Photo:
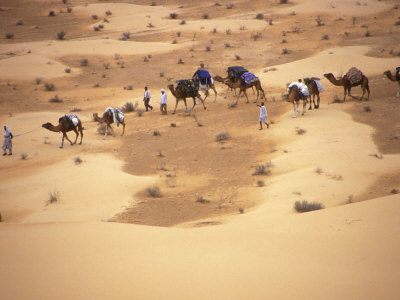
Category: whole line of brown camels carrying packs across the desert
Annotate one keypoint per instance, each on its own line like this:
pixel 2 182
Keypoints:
pixel 238 77
